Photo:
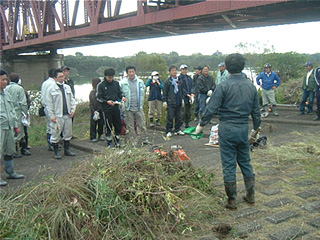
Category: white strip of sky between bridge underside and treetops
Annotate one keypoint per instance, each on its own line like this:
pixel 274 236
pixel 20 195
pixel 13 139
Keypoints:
pixel 298 38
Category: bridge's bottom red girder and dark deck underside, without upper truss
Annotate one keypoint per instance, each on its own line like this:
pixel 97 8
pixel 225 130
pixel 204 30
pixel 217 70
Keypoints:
pixel 118 30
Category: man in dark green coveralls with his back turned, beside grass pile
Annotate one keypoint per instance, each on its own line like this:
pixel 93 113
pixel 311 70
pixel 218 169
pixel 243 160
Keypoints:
pixel 234 99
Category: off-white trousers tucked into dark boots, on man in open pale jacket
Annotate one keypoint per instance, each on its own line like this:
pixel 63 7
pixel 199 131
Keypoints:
pixel 64 126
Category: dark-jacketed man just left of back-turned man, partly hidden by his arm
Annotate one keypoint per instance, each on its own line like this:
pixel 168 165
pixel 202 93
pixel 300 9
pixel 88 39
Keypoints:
pixel 206 86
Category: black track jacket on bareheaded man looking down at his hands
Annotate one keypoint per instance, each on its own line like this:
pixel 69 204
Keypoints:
pixel 109 91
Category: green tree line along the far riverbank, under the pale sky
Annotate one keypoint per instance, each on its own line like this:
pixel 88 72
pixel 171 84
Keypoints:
pixel 288 65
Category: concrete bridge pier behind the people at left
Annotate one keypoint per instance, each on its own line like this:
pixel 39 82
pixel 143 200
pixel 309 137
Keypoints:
pixel 32 69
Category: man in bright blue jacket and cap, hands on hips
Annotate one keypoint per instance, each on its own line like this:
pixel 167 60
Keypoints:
pixel 270 81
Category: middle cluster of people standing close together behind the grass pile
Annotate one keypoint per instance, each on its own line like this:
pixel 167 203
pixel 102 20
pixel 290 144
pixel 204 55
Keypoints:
pixel 177 94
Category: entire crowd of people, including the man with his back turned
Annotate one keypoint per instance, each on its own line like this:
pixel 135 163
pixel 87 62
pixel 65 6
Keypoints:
pixel 115 104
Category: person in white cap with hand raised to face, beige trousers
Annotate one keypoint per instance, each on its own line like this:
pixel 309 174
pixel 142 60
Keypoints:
pixel 155 98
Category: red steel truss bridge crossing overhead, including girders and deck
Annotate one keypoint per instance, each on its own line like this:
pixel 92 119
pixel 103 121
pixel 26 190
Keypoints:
pixel 46 25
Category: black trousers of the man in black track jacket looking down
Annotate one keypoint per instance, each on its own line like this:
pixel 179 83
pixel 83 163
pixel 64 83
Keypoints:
pixel 112 119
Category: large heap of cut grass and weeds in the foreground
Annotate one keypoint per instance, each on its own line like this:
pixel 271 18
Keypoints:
pixel 122 195
